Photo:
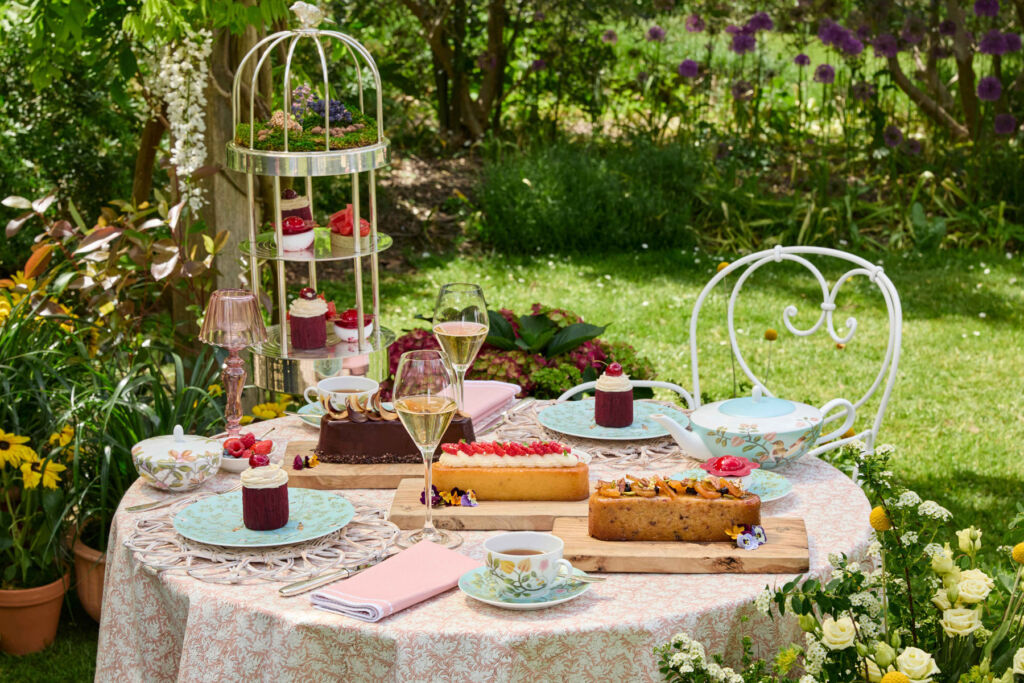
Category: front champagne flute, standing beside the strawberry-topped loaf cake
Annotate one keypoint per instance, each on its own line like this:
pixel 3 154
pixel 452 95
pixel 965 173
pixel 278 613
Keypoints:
pixel 425 404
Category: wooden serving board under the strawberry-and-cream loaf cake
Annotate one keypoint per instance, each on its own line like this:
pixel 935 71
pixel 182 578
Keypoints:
pixel 407 513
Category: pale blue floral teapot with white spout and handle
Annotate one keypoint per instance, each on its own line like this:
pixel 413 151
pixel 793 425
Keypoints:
pixel 764 430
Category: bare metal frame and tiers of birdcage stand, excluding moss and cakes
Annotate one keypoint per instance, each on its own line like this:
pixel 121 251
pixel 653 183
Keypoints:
pixel 279 367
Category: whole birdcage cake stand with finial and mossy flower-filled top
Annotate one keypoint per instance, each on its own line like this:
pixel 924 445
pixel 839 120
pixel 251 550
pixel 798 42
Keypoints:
pixel 344 148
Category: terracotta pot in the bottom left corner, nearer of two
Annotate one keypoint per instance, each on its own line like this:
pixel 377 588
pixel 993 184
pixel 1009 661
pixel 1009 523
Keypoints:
pixel 29 617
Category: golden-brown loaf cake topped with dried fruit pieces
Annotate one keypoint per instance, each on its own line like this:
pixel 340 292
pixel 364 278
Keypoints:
pixel 658 509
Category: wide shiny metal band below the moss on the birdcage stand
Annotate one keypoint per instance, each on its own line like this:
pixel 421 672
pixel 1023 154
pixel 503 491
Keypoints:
pixel 306 164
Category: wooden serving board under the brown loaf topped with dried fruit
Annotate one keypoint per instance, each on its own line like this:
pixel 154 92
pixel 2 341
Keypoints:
pixel 786 552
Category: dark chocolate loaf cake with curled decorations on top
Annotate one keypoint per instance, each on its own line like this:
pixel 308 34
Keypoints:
pixel 364 433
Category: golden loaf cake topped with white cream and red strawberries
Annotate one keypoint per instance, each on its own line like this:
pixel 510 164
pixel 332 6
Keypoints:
pixel 509 472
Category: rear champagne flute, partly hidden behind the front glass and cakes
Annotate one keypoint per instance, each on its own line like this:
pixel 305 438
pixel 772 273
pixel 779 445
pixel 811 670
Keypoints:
pixel 461 326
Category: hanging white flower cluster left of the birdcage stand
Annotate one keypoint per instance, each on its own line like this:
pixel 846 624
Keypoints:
pixel 181 78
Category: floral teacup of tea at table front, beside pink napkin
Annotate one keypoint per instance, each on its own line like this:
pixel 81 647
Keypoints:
pixel 527 564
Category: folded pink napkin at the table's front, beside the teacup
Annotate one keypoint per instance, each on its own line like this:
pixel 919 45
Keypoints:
pixel 402 581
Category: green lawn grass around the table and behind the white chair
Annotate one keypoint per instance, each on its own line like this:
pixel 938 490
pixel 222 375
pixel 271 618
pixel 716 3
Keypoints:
pixel 956 415
